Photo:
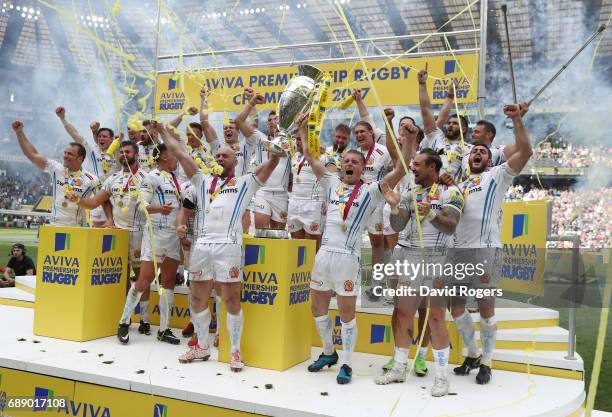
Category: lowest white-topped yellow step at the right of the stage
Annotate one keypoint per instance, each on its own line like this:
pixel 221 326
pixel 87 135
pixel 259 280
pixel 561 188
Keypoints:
pixel 538 362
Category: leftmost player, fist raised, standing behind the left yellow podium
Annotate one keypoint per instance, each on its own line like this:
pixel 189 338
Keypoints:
pixel 68 178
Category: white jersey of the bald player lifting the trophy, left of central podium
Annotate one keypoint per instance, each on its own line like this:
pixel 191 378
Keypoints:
pixel 220 218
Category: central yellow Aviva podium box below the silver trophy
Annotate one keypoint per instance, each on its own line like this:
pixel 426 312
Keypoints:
pixel 276 302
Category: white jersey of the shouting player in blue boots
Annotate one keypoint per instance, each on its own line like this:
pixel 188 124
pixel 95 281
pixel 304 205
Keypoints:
pixel 345 236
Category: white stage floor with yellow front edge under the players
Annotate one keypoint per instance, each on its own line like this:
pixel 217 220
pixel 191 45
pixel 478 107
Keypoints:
pixel 144 378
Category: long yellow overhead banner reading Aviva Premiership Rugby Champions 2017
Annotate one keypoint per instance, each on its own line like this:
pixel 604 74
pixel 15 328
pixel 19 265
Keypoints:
pixel 395 83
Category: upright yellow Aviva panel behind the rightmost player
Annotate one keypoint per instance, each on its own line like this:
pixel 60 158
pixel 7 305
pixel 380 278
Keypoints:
pixel 524 229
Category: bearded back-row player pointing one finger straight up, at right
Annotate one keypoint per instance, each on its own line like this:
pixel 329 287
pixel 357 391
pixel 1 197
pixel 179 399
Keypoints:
pixel 449 146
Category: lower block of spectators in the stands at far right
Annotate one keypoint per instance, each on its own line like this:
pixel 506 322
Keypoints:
pixel 584 212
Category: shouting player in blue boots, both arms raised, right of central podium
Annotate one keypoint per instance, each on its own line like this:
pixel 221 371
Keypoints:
pixel 337 268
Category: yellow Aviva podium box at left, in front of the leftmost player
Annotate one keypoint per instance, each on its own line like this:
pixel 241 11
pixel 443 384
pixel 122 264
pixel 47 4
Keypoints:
pixel 80 282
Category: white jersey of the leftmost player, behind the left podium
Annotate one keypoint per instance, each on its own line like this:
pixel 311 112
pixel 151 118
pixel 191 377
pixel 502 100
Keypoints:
pixel 82 183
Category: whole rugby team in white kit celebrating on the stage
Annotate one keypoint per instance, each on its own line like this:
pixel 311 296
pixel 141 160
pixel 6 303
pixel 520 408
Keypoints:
pixel 187 209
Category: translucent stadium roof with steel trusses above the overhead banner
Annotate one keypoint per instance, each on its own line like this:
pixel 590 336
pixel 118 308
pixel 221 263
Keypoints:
pixel 33 35
